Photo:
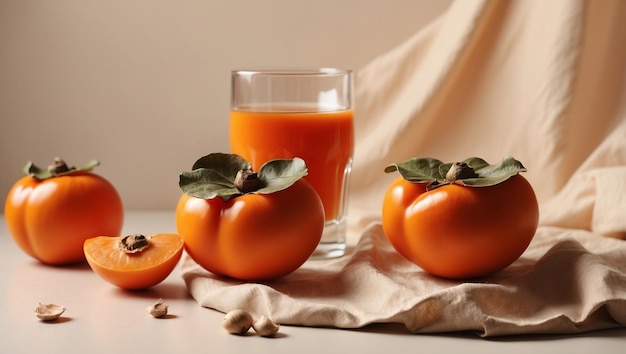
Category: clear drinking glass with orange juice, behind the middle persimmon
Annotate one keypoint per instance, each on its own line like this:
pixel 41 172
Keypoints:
pixel 306 113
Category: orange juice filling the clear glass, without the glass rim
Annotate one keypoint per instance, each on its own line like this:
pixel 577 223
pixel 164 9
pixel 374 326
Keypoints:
pixel 324 140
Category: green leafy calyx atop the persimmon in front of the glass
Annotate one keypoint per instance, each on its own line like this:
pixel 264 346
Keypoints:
pixel 229 176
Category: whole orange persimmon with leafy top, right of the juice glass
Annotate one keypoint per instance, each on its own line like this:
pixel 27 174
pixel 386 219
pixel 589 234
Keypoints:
pixel 460 220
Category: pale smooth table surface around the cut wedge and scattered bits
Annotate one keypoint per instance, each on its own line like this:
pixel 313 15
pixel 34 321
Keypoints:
pixel 101 318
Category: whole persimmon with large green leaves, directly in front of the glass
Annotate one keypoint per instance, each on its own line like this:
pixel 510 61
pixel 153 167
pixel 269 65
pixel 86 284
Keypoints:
pixel 247 225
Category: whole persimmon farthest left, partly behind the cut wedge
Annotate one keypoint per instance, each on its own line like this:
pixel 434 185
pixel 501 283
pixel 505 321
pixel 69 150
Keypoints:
pixel 51 212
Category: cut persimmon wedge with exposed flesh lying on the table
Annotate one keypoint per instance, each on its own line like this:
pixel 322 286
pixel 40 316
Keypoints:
pixel 134 267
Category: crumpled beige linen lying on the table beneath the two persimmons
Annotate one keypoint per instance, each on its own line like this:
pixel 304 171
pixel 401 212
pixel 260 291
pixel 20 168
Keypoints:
pixel 566 282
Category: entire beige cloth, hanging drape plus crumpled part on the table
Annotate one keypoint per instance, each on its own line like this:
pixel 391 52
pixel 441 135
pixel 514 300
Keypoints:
pixel 543 81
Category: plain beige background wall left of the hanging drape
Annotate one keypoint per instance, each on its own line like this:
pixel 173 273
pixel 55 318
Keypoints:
pixel 143 85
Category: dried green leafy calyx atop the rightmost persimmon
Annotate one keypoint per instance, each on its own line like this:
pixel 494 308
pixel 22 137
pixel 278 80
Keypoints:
pixel 473 172
